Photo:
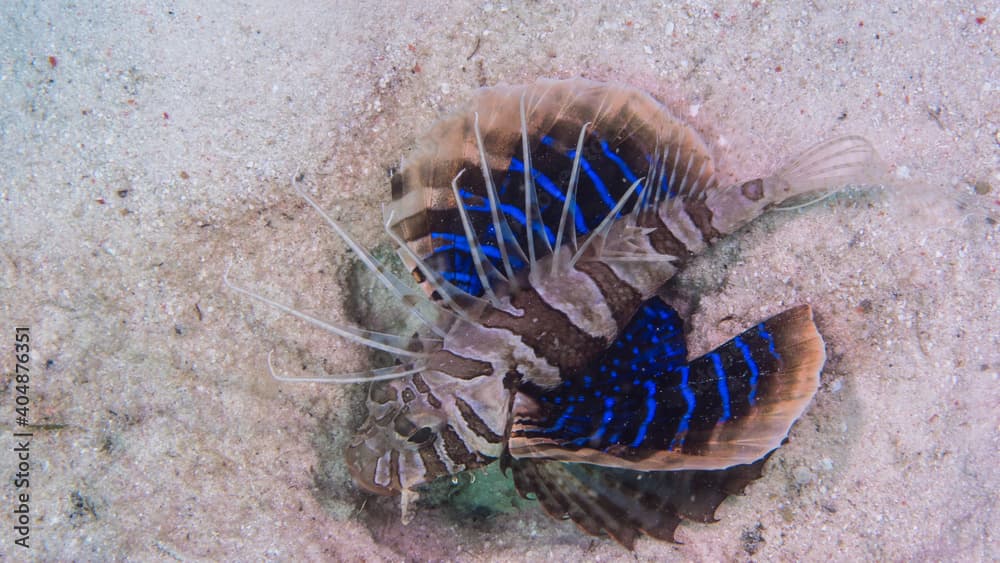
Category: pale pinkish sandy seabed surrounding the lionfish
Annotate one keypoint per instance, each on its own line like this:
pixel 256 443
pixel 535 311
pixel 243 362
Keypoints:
pixel 147 145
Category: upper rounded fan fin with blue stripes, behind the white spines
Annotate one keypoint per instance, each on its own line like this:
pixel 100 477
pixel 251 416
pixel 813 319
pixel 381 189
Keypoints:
pixel 576 150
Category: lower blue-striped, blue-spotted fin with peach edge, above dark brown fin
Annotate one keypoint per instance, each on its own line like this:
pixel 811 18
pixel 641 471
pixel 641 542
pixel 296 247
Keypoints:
pixel 643 411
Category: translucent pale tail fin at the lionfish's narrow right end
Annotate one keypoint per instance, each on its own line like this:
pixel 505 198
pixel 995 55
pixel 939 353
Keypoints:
pixel 824 167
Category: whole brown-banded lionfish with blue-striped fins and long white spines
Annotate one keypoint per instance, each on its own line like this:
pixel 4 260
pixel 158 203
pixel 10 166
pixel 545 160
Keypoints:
pixel 541 224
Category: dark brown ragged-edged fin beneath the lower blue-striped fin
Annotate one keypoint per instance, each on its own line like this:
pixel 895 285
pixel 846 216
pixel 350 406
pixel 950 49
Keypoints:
pixel 624 504
